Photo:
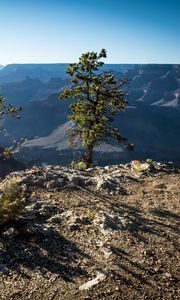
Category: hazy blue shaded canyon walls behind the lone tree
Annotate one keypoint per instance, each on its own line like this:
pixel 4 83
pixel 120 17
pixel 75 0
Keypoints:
pixel 151 121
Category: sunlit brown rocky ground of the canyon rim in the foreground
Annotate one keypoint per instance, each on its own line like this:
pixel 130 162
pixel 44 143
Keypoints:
pixel 103 233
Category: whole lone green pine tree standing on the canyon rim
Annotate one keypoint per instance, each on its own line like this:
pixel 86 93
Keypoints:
pixel 98 98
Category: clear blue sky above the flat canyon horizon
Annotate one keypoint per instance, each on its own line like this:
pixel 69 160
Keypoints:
pixel 132 31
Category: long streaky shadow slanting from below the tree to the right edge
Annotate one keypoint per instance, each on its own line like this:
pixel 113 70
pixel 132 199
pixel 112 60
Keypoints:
pixel 137 222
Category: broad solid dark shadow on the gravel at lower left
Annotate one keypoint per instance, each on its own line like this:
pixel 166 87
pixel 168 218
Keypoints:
pixel 35 244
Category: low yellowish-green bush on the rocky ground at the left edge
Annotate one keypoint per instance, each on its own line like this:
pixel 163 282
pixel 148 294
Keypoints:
pixel 11 201
